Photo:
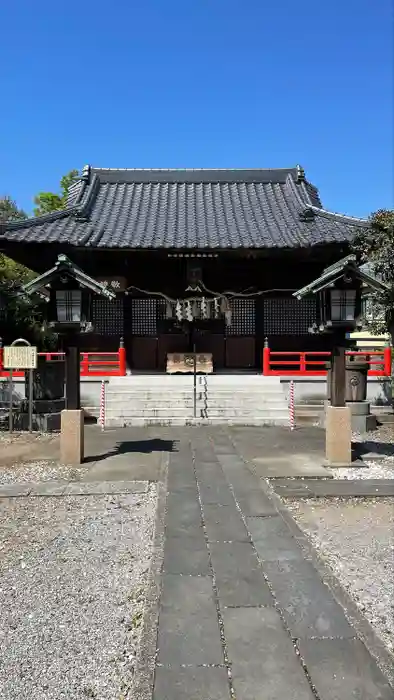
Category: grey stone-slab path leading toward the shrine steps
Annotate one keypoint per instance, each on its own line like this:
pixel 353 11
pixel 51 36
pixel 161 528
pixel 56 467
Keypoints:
pixel 242 613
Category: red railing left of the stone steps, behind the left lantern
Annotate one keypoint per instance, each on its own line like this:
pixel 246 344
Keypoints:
pixel 93 364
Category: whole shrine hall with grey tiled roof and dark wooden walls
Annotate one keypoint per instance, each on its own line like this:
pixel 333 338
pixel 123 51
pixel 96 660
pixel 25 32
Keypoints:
pixel 199 259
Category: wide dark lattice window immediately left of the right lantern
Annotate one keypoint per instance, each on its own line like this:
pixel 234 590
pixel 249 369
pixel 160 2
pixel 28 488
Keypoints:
pixel 285 316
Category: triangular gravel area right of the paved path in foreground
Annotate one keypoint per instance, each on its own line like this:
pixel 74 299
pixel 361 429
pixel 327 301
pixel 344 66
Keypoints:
pixel 356 538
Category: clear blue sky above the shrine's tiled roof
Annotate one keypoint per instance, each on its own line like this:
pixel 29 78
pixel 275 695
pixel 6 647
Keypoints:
pixel 200 83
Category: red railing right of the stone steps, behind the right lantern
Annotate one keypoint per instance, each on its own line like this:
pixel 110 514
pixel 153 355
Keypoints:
pixel 313 364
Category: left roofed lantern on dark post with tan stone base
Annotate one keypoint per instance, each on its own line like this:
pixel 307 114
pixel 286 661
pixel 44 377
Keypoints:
pixel 69 315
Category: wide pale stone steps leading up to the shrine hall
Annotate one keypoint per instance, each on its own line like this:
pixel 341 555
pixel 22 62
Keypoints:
pixel 220 399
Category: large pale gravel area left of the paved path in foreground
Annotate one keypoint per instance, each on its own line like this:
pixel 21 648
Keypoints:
pixel 72 578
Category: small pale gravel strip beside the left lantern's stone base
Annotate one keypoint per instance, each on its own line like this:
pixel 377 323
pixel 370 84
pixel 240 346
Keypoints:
pixel 37 471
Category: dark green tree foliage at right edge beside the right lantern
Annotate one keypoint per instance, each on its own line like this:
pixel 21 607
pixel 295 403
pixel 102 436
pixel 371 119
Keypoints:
pixel 375 245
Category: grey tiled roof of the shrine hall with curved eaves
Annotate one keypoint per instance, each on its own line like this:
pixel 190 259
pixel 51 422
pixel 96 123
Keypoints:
pixel 189 209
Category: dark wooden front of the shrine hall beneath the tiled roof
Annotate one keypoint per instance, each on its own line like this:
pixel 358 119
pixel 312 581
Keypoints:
pixel 268 310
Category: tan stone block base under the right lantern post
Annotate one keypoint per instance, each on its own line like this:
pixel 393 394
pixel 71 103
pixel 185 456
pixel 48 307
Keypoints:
pixel 338 436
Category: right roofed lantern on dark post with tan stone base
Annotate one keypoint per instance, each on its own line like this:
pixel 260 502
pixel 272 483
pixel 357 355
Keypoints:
pixel 339 292
